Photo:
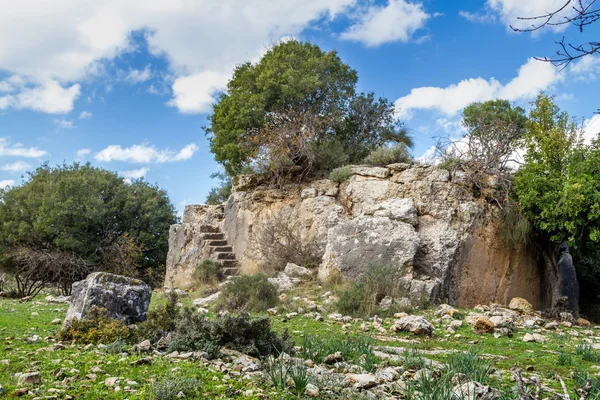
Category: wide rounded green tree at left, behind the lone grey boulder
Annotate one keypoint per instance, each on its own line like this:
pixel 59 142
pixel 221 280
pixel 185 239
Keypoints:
pixel 86 211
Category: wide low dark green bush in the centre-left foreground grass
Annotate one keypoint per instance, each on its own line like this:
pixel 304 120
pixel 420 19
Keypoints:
pixel 252 336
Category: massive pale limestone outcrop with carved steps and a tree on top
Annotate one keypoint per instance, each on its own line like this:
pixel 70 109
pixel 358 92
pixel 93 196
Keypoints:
pixel 422 219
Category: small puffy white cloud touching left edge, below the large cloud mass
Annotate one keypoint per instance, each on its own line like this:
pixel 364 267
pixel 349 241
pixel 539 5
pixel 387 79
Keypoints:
pixel 49 97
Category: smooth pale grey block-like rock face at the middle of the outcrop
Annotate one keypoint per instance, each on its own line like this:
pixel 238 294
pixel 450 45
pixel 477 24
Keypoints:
pixel 354 245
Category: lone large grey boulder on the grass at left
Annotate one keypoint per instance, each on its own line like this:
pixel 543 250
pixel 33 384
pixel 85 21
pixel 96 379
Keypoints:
pixel 124 298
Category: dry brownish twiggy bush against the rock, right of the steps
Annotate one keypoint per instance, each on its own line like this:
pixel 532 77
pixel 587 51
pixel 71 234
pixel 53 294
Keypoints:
pixel 279 242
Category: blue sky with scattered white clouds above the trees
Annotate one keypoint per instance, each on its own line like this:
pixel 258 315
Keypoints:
pixel 127 85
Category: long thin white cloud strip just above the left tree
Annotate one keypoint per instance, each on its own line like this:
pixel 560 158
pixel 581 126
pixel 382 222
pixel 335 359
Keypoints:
pixel 143 154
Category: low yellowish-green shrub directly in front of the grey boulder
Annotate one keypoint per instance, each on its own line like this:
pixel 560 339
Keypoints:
pixel 96 328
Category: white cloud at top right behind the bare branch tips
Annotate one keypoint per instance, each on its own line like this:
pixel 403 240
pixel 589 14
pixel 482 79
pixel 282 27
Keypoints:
pixel 509 12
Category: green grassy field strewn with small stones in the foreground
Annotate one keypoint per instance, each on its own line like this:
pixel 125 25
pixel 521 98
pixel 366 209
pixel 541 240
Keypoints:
pixel 28 343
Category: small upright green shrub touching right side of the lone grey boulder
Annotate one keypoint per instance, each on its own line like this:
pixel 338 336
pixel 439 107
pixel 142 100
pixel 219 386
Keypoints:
pixel 161 320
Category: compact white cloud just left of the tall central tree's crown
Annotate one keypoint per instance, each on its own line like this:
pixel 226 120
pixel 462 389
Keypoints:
pixel 195 93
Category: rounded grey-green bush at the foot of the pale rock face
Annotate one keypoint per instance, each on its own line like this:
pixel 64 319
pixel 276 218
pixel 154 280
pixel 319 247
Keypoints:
pixel 361 298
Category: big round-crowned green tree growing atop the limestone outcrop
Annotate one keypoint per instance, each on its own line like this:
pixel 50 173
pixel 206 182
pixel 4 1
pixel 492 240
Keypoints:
pixel 296 110
